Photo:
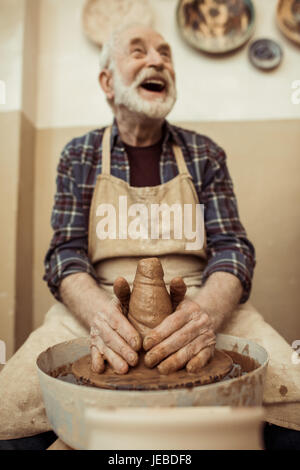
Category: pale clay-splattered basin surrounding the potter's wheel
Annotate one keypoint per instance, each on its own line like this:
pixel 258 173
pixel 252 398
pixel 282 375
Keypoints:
pixel 72 409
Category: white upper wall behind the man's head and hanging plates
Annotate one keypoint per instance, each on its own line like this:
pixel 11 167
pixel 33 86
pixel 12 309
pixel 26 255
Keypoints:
pixel 209 88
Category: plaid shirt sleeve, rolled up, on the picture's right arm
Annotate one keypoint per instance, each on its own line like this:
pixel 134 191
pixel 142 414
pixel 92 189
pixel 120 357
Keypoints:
pixel 228 248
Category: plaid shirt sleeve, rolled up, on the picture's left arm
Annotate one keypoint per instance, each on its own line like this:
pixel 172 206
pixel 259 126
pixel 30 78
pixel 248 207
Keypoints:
pixel 68 251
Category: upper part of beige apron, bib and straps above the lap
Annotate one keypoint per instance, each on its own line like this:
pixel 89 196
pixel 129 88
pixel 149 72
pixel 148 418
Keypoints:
pixel 114 257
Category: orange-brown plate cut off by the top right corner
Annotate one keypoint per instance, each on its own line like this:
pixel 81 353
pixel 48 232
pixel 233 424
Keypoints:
pixel 288 19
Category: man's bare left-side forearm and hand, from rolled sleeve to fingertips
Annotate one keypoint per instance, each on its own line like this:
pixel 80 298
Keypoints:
pixel 112 336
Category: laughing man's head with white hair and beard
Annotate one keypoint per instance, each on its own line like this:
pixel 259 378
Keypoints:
pixel 147 91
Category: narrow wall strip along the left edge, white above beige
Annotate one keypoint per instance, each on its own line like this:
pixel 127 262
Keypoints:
pixel 11 64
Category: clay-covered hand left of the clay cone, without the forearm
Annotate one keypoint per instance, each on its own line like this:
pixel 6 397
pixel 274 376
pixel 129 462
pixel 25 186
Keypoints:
pixel 112 336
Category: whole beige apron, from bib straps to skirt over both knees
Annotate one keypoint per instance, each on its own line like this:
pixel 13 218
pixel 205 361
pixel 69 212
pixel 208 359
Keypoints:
pixel 22 411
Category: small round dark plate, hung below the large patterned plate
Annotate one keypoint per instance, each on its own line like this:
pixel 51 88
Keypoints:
pixel 265 54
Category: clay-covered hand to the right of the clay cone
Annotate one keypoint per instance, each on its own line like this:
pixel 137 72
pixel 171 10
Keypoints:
pixel 184 338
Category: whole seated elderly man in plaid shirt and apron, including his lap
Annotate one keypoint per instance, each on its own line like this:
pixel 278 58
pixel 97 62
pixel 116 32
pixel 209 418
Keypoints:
pixel 147 161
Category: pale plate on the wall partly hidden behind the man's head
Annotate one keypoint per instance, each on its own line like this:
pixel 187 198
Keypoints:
pixel 101 17
